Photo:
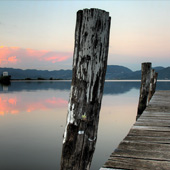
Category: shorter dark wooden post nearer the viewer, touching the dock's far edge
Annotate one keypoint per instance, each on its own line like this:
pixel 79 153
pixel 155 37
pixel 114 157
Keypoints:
pixel 144 89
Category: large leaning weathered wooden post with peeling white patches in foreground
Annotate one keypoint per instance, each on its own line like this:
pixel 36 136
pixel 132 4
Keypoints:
pixel 89 68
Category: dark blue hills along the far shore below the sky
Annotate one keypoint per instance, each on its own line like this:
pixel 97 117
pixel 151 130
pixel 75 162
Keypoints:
pixel 114 72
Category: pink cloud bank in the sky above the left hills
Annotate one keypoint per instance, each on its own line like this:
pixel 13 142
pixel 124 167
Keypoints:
pixel 17 55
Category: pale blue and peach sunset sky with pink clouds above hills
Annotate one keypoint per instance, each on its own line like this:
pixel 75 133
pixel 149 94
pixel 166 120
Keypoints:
pixel 40 34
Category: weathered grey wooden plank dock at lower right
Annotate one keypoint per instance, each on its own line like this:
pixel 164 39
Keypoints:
pixel 147 145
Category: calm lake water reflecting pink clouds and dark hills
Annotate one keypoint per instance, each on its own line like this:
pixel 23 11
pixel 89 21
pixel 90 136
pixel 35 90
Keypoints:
pixel 33 117
